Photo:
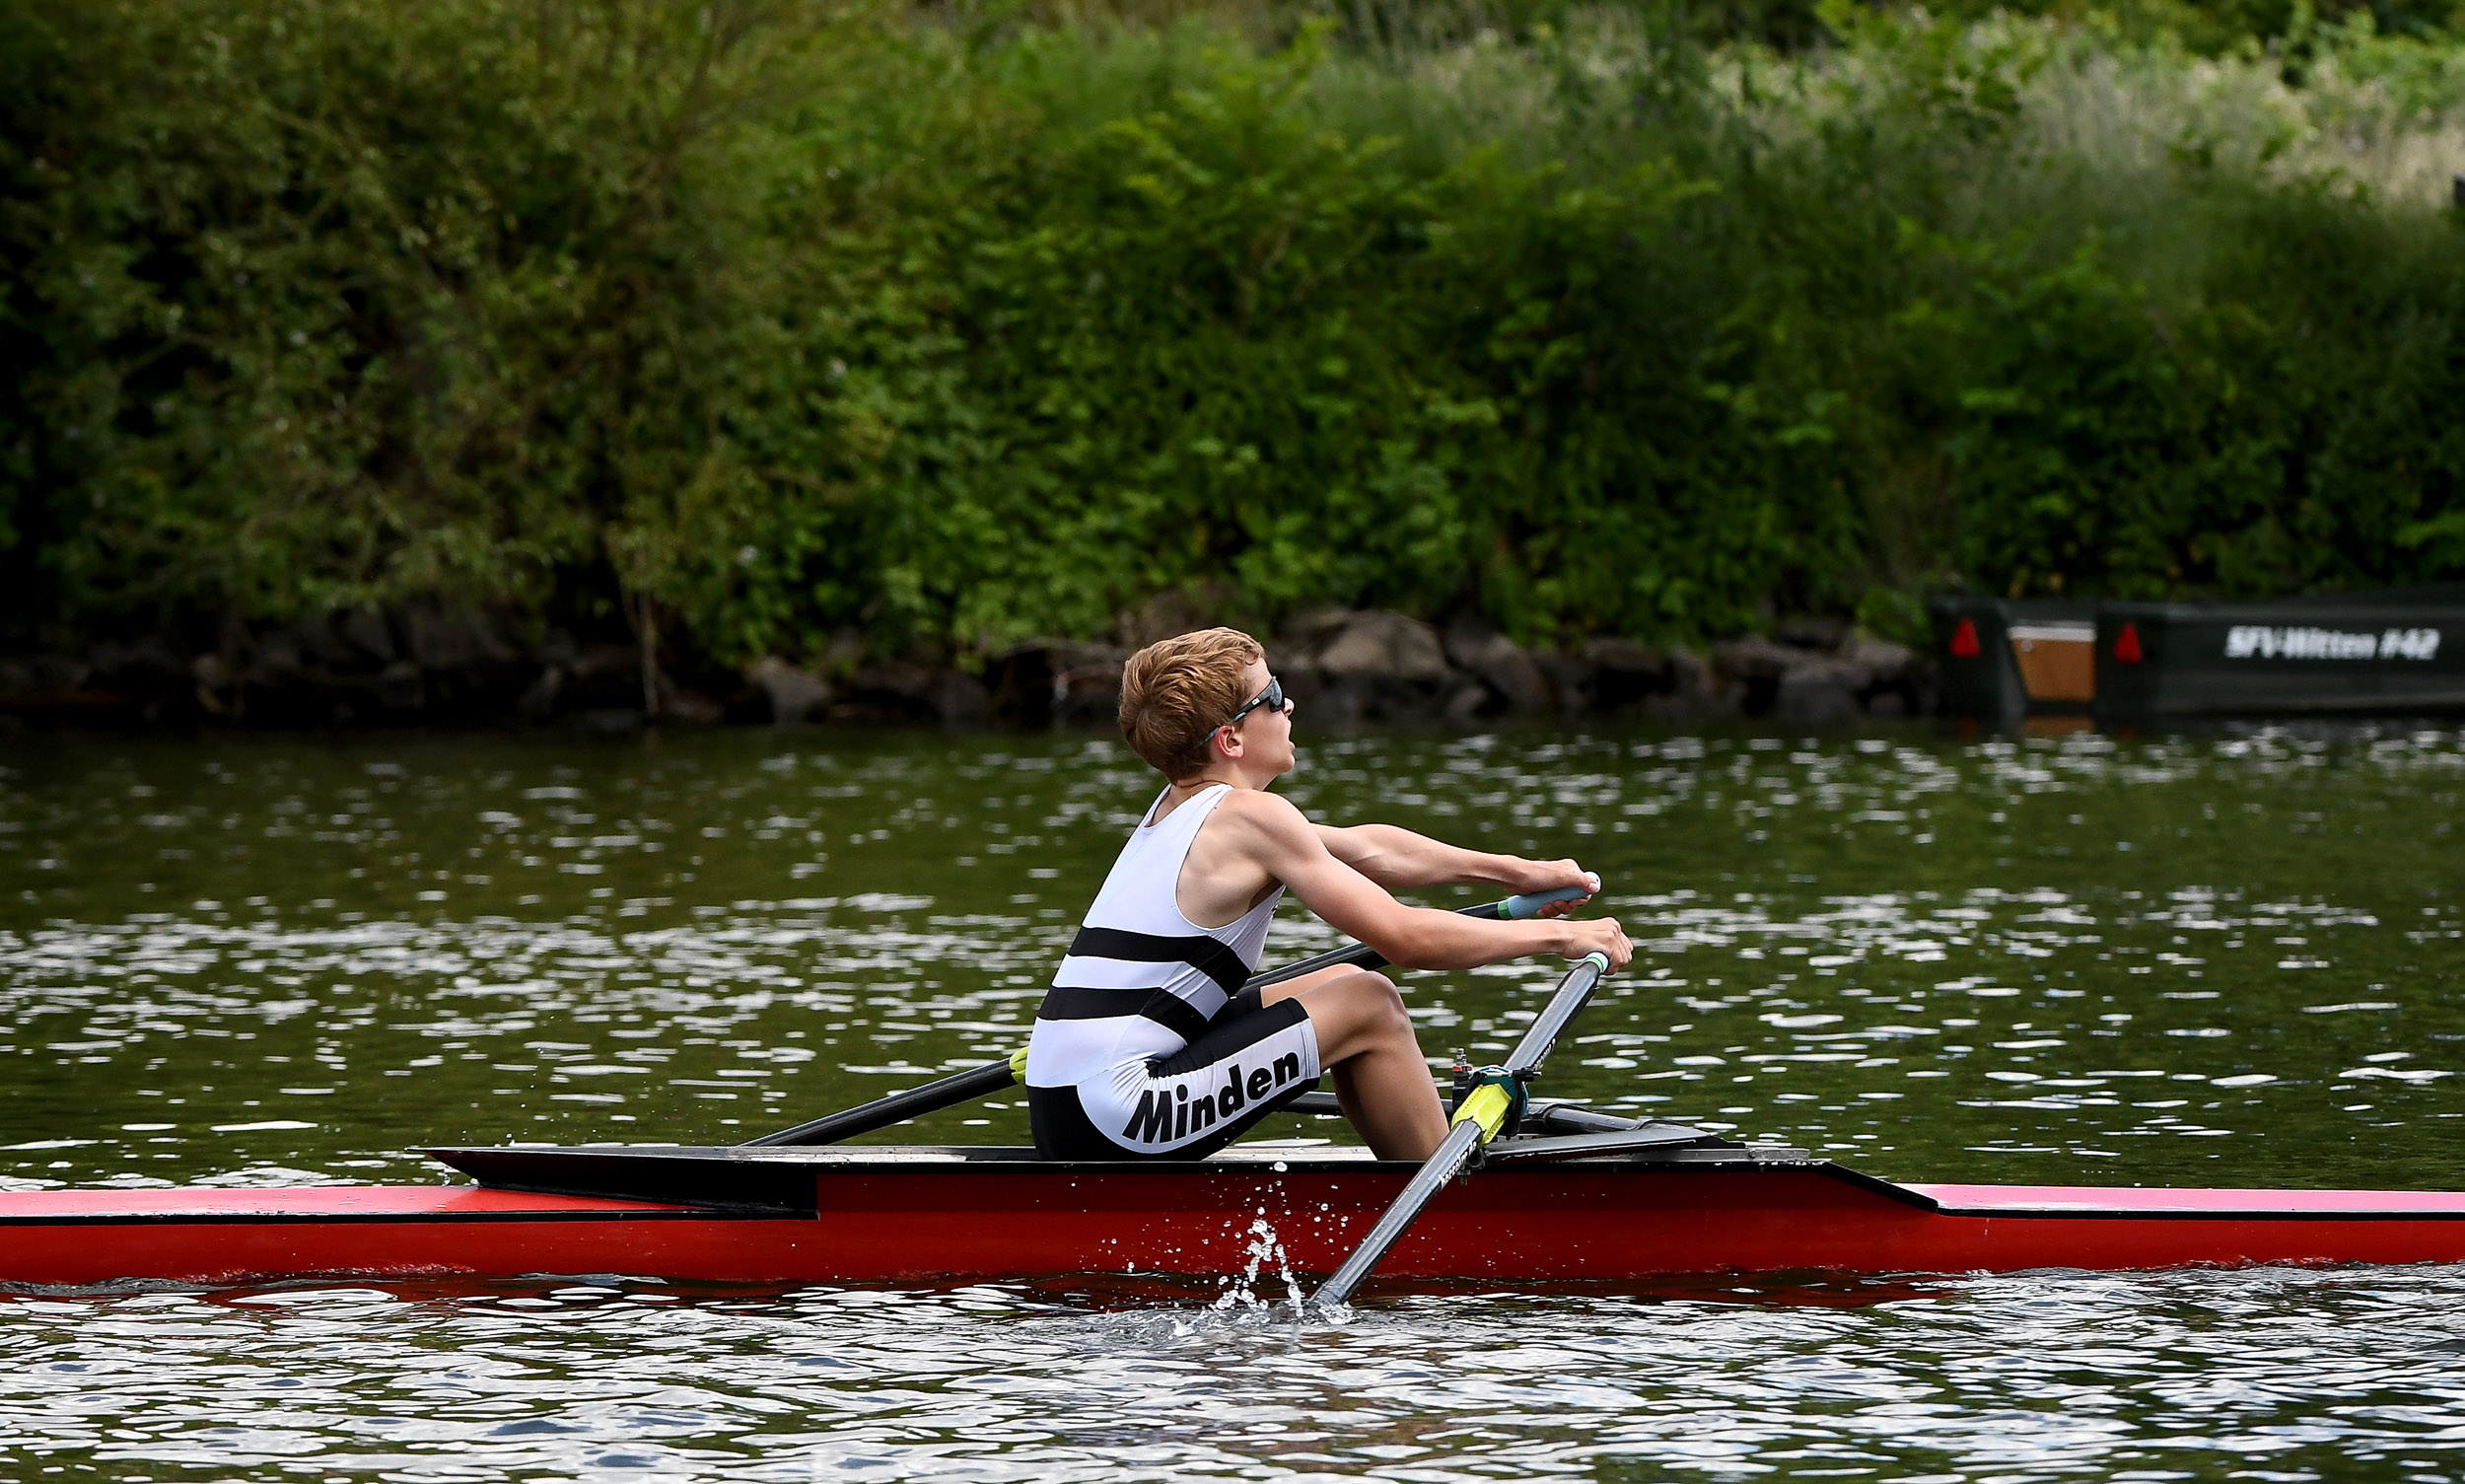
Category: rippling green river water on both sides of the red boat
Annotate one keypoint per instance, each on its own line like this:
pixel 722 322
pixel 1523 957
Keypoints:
pixel 2222 960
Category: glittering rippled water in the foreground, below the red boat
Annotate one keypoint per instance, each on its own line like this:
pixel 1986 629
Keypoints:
pixel 2030 1377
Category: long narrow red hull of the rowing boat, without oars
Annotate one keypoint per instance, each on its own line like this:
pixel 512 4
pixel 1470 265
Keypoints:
pixel 965 1221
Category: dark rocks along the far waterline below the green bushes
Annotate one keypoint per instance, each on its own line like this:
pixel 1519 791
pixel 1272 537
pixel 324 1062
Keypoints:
pixel 425 667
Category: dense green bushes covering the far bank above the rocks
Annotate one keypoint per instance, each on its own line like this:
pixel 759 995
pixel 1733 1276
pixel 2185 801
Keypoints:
pixel 792 319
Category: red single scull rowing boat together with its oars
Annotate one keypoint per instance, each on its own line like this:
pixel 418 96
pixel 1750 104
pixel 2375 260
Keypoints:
pixel 1564 1194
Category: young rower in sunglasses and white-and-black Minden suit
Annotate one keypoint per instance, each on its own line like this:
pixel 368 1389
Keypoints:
pixel 1147 1042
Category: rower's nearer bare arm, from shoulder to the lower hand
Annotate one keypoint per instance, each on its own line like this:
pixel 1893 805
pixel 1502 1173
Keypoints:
pixel 1288 849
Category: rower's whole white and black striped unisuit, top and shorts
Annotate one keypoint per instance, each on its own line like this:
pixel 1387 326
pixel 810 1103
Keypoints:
pixel 1147 1044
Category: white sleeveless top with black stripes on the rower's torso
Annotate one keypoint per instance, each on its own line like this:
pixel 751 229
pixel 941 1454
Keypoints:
pixel 1143 980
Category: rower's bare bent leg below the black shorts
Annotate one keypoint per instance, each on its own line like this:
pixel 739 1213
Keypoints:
pixel 1367 1044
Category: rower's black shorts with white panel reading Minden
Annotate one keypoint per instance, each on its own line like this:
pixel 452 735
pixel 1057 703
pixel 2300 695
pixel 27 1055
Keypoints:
pixel 1251 1061
